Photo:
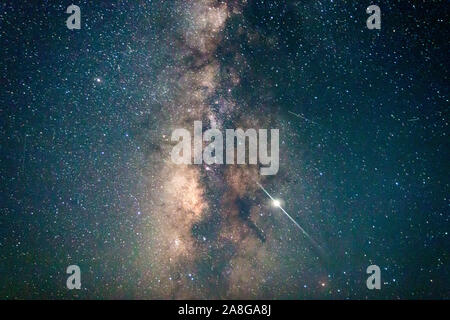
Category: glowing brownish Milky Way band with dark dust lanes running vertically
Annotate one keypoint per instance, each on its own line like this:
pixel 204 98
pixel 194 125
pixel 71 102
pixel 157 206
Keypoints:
pixel 223 200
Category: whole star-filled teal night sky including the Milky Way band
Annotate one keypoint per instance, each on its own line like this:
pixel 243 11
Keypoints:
pixel 87 177
